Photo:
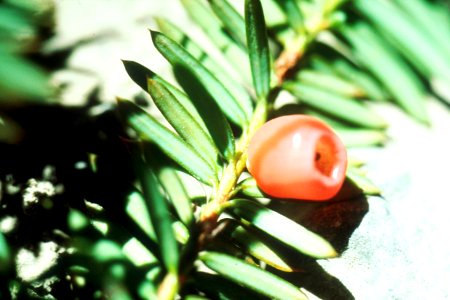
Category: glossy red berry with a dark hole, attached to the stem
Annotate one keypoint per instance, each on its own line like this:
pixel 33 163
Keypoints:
pixel 298 157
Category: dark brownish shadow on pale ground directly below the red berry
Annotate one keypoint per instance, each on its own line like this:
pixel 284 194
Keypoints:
pixel 335 220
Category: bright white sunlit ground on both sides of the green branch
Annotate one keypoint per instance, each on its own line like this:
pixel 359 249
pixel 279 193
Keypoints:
pixel 400 249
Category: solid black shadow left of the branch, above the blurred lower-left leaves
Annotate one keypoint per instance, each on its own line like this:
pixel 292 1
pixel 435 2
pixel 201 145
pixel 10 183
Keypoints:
pixel 62 138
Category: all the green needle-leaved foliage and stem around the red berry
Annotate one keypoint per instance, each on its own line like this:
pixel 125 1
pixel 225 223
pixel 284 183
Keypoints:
pixel 140 232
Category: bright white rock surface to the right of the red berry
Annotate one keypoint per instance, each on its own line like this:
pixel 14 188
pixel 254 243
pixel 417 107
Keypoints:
pixel 400 249
